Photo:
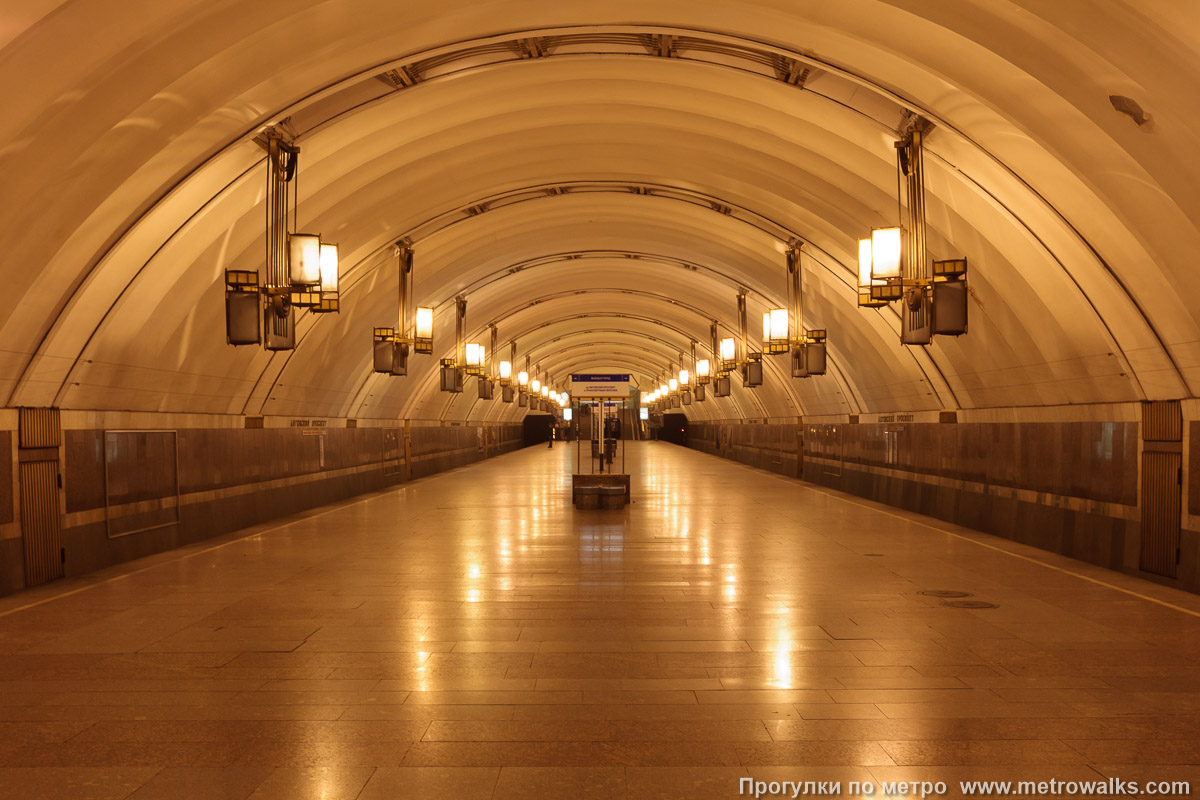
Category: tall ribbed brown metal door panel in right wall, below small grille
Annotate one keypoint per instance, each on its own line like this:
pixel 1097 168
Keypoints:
pixel 1161 506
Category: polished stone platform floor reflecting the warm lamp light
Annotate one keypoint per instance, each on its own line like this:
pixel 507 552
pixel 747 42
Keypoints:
pixel 471 635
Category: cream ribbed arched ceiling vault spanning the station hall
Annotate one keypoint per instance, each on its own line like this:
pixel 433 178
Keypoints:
pixel 701 139
